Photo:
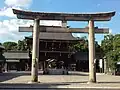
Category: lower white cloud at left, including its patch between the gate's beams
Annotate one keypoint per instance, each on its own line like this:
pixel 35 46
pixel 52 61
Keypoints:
pixel 9 28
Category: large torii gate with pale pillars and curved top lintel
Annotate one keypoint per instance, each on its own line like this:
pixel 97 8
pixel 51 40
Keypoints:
pixel 64 17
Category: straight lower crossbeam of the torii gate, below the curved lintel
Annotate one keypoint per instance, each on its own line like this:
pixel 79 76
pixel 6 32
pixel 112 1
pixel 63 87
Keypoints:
pixel 58 29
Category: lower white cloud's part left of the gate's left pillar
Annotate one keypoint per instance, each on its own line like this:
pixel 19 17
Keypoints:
pixel 9 29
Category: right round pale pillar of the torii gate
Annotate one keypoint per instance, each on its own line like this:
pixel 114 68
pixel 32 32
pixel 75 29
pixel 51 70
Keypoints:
pixel 92 72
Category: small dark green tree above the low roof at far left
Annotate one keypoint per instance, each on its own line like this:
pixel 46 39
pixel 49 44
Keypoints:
pixel 10 45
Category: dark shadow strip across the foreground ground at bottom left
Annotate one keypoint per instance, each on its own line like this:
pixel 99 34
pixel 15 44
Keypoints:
pixel 31 86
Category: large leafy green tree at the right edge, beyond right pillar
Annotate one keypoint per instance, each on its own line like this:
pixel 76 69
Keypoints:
pixel 111 49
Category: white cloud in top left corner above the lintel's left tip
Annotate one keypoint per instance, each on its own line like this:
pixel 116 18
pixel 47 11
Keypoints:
pixel 16 4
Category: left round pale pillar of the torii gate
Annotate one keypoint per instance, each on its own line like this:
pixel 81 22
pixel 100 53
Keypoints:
pixel 34 72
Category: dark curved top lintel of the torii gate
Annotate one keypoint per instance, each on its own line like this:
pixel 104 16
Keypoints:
pixel 101 16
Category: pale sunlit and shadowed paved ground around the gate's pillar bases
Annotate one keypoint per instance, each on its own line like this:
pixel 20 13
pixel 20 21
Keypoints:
pixel 74 80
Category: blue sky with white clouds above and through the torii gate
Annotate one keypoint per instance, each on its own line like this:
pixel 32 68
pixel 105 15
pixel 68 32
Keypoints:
pixel 9 23
